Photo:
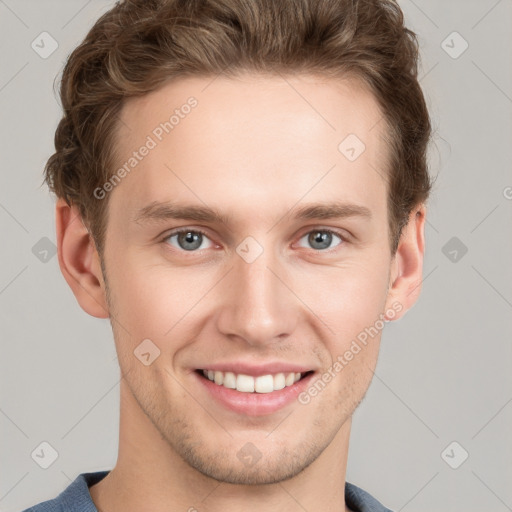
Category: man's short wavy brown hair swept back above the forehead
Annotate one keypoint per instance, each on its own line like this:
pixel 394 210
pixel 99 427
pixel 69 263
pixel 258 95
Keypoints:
pixel 138 45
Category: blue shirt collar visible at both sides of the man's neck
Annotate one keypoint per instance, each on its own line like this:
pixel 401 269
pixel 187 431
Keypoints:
pixel 77 498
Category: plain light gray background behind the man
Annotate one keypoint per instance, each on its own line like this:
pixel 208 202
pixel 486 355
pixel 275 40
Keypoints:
pixel 444 373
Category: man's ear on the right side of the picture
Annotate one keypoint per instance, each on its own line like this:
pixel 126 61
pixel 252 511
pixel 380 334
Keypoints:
pixel 407 266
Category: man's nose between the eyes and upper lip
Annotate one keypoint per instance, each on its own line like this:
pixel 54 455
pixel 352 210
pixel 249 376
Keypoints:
pixel 256 301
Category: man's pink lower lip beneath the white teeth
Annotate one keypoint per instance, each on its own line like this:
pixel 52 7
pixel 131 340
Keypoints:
pixel 255 404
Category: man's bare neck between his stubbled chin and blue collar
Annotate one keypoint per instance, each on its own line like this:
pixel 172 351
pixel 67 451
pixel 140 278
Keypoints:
pixel 150 475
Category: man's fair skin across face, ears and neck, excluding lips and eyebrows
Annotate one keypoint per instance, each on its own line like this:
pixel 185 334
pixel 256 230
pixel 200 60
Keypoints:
pixel 256 148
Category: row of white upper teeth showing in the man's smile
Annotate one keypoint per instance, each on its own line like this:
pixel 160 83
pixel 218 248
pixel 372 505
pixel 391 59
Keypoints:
pixel 249 384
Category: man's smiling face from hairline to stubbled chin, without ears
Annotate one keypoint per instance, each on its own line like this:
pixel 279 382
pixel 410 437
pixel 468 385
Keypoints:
pixel 251 241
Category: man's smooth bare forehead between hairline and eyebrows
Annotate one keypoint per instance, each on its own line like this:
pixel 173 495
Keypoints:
pixel 263 138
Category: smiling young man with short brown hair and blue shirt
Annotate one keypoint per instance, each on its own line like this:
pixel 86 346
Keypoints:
pixel 241 191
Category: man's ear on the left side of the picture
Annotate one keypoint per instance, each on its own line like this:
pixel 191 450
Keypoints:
pixel 79 260
